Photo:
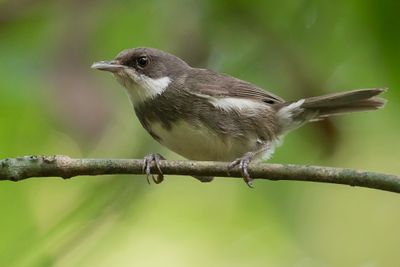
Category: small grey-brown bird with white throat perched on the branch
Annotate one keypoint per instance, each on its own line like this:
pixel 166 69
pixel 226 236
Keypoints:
pixel 201 114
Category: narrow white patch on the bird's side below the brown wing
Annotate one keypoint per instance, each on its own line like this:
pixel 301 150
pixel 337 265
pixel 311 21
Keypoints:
pixel 232 103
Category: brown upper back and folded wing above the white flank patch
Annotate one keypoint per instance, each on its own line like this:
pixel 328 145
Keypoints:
pixel 209 83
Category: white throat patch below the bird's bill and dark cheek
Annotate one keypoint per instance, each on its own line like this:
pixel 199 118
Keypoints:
pixel 142 88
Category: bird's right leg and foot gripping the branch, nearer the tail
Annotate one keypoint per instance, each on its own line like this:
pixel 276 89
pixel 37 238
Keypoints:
pixel 245 160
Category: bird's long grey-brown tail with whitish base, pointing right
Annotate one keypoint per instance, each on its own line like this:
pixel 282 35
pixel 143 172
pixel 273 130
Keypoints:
pixel 320 107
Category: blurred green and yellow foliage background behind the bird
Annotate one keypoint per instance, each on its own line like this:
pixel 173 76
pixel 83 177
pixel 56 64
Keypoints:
pixel 51 102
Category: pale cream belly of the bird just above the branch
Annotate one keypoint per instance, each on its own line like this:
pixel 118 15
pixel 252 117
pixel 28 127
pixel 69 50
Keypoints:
pixel 197 142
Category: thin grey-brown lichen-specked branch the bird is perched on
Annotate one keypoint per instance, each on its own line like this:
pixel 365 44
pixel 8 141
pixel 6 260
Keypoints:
pixel 16 169
